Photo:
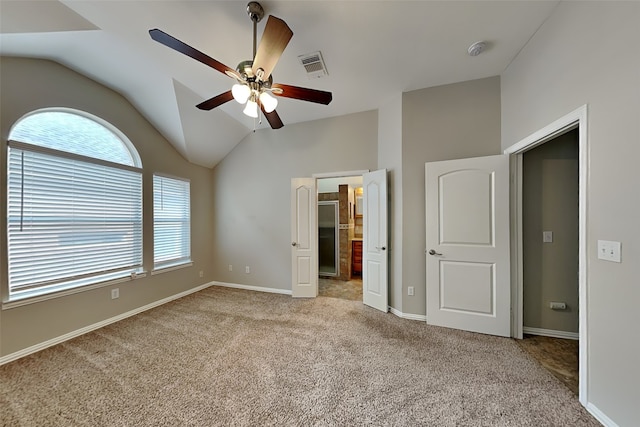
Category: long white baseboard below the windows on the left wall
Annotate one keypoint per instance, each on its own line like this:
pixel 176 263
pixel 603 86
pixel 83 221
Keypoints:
pixel 62 338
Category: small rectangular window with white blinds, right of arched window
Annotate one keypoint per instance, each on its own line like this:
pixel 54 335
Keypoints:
pixel 171 222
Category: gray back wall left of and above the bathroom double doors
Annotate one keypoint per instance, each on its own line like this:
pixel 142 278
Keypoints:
pixel 252 187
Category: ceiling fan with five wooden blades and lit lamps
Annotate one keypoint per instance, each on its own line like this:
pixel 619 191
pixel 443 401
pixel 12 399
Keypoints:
pixel 254 85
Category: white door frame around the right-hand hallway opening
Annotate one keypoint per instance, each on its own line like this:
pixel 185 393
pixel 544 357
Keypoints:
pixel 575 119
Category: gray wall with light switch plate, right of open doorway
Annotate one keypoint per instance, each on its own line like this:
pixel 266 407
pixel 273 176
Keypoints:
pixel 587 53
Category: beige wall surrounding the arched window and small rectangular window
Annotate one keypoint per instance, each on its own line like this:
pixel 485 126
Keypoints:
pixel 29 84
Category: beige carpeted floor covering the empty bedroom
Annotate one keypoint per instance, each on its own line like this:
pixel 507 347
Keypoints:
pixel 230 357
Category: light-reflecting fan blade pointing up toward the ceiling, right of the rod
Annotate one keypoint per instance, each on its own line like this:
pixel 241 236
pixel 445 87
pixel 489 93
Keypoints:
pixel 275 39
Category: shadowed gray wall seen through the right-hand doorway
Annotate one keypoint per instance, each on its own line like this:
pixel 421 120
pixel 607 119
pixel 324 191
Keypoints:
pixel 550 203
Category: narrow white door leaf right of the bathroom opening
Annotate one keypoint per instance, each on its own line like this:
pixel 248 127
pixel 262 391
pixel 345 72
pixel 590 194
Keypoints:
pixel 374 242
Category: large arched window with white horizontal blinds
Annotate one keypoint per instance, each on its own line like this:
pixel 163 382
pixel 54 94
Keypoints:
pixel 74 203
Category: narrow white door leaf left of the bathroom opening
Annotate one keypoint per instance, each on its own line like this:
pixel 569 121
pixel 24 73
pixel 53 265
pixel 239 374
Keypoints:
pixel 304 249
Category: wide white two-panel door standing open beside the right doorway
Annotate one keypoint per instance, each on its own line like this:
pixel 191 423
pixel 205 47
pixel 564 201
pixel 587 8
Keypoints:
pixel 467 214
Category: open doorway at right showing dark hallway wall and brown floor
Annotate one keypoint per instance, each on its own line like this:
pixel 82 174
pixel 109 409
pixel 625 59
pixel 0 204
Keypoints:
pixel 550 256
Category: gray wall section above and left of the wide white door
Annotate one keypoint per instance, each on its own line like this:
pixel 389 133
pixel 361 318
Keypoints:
pixel 454 121
